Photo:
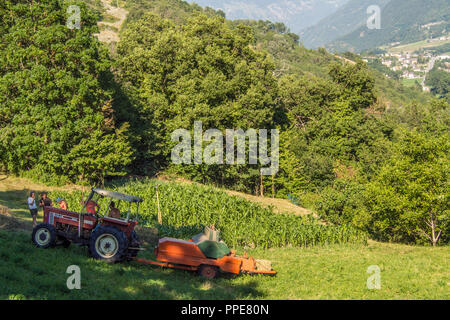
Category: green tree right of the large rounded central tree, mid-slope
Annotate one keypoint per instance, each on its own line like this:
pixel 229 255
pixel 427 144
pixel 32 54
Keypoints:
pixel 331 121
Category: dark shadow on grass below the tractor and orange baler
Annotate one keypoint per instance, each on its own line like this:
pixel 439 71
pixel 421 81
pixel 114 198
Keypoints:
pixel 41 274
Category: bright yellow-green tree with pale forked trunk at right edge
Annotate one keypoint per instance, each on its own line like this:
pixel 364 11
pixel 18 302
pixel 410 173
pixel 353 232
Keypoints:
pixel 409 199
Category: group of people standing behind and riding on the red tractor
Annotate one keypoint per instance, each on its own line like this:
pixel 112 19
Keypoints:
pixel 91 206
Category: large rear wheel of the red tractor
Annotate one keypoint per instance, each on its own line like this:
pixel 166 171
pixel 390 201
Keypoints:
pixel 109 244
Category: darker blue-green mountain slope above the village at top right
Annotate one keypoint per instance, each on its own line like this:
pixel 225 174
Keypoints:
pixel 402 21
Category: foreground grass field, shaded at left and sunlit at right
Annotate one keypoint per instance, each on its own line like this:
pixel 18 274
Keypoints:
pixel 325 272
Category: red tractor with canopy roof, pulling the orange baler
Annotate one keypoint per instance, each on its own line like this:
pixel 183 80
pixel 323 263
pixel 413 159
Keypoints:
pixel 109 239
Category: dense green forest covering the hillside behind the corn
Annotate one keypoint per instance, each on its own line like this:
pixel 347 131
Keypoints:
pixel 357 147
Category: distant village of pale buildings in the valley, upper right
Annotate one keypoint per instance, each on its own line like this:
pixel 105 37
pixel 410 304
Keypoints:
pixel 413 65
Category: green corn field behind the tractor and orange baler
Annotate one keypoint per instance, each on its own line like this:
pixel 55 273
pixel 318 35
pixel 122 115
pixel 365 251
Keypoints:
pixel 186 209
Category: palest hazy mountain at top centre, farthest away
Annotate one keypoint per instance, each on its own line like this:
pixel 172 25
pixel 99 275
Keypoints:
pixel 296 14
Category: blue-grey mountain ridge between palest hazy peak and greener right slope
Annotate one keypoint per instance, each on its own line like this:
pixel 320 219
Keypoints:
pixel 346 19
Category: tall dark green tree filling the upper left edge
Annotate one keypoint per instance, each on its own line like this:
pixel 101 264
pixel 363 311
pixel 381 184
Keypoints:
pixel 55 113
